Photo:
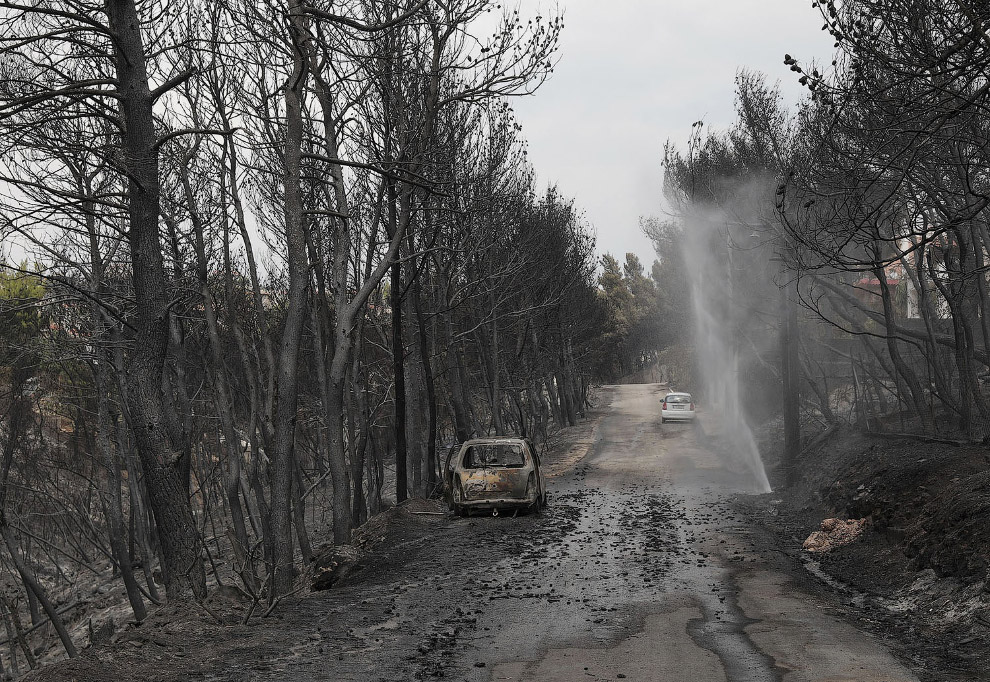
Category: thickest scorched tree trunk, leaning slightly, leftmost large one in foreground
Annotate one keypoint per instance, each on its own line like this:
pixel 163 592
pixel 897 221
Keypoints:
pixel 161 461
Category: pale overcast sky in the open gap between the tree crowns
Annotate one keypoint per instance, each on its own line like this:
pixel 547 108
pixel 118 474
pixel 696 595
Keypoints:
pixel 634 73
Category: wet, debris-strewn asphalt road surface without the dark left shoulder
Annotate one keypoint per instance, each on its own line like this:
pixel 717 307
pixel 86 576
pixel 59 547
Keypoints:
pixel 683 592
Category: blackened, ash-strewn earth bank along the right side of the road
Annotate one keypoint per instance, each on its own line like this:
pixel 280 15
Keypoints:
pixel 919 572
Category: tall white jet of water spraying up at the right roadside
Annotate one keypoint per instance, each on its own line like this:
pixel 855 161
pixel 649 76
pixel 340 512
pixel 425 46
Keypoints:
pixel 727 262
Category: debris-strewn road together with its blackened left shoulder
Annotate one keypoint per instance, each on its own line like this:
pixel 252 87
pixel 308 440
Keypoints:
pixel 638 570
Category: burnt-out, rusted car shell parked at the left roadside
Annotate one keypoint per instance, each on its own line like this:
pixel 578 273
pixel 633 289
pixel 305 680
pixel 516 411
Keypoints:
pixel 493 474
